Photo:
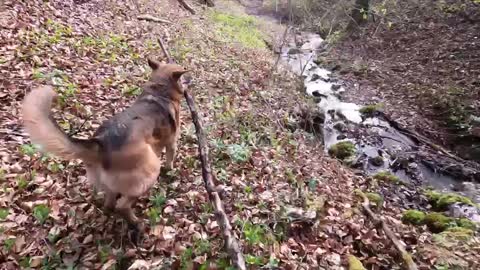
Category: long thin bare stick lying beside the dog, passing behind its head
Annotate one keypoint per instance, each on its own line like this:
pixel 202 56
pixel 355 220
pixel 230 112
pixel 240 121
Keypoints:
pixel 231 244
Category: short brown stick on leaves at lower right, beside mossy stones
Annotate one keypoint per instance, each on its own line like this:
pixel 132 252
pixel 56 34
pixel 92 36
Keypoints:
pixel 407 258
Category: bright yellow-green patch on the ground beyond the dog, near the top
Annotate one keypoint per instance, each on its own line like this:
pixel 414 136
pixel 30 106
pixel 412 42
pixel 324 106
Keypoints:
pixel 241 29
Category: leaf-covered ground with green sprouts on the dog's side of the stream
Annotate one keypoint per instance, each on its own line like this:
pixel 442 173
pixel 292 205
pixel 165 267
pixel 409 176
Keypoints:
pixel 292 207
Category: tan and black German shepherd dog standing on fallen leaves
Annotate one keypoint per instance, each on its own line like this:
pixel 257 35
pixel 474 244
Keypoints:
pixel 122 157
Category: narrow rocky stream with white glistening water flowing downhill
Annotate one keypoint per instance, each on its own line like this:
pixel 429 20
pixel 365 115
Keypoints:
pixel 379 145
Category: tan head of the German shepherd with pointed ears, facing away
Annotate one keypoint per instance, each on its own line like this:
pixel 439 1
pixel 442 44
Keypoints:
pixel 162 73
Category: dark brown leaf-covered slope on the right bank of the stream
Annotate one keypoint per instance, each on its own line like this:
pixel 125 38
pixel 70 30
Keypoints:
pixel 422 63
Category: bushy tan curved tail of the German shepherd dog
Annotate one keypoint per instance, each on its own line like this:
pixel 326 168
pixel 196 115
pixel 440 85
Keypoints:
pixel 45 131
